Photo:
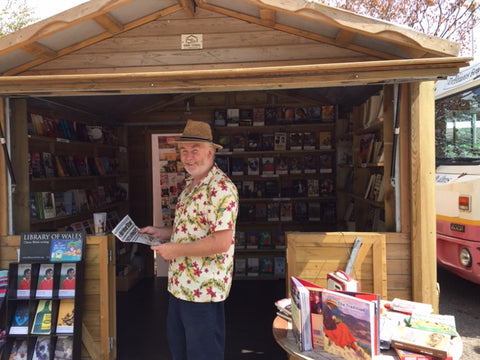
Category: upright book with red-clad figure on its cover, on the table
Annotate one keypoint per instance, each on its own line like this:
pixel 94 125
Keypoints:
pixel 349 325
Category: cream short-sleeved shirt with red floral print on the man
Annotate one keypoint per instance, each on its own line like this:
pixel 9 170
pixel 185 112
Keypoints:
pixel 210 206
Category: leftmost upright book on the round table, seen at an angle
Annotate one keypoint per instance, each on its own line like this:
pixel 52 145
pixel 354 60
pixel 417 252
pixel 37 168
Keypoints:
pixel 300 309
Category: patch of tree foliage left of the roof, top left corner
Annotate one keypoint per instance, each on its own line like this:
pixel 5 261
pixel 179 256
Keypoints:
pixel 14 15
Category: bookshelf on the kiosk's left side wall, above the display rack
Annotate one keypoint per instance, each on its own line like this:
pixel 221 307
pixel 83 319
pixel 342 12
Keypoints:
pixel 76 167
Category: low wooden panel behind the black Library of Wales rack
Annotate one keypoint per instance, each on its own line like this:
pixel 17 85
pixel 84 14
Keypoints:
pixel 99 310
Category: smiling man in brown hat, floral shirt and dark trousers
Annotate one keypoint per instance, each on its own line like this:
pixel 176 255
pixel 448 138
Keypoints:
pixel 200 251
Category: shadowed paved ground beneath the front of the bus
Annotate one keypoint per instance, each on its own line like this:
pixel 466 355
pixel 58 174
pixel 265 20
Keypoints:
pixel 460 298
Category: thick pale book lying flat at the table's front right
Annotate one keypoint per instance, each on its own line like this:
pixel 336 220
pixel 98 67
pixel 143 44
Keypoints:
pixel 422 341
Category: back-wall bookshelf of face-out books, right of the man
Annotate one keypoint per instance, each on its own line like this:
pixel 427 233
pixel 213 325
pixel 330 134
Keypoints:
pixel 282 160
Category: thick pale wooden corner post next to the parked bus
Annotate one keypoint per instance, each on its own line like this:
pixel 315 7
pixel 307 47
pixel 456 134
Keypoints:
pixel 422 140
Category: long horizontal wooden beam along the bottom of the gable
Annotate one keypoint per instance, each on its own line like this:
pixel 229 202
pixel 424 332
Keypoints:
pixel 276 77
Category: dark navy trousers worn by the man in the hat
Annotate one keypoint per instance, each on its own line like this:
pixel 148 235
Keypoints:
pixel 195 331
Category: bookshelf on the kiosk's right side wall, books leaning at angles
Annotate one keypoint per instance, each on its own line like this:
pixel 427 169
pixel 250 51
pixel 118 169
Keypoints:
pixel 361 179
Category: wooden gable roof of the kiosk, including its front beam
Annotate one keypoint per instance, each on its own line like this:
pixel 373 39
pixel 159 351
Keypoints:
pixel 134 46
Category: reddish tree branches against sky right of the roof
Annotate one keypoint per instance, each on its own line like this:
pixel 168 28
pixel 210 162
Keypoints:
pixel 447 19
